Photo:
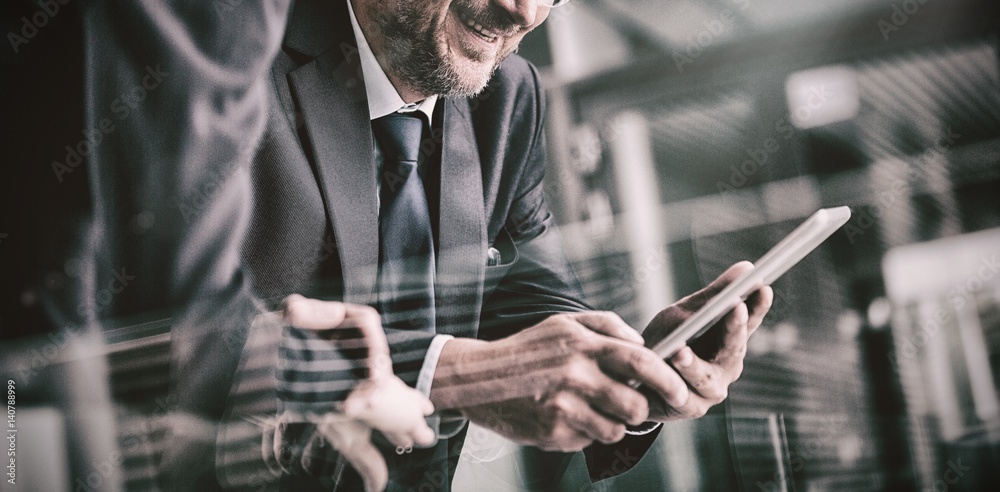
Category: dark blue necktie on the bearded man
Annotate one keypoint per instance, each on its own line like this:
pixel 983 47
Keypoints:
pixel 406 257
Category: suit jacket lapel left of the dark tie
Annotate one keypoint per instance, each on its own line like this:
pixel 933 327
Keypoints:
pixel 331 97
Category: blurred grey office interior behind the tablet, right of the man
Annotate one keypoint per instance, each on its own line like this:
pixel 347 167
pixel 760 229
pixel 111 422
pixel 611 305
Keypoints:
pixel 687 135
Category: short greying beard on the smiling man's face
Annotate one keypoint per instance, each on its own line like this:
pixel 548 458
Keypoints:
pixel 413 52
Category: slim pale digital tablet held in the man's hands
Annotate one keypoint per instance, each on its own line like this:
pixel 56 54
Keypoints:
pixel 769 267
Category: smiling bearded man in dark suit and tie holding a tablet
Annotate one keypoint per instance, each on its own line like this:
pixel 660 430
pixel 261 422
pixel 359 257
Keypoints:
pixel 451 242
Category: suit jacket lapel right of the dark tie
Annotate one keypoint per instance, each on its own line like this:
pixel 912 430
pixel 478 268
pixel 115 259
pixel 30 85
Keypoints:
pixel 461 258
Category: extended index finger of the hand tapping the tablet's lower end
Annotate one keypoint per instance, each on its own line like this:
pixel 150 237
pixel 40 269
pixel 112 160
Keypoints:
pixel 639 364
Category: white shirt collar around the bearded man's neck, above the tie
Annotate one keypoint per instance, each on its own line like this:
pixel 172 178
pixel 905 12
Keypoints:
pixel 383 99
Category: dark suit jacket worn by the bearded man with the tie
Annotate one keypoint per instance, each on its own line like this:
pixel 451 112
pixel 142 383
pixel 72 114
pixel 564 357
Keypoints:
pixel 314 228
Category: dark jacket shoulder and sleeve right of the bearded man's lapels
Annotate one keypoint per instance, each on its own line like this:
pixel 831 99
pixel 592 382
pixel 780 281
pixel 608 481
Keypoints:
pixel 539 280
